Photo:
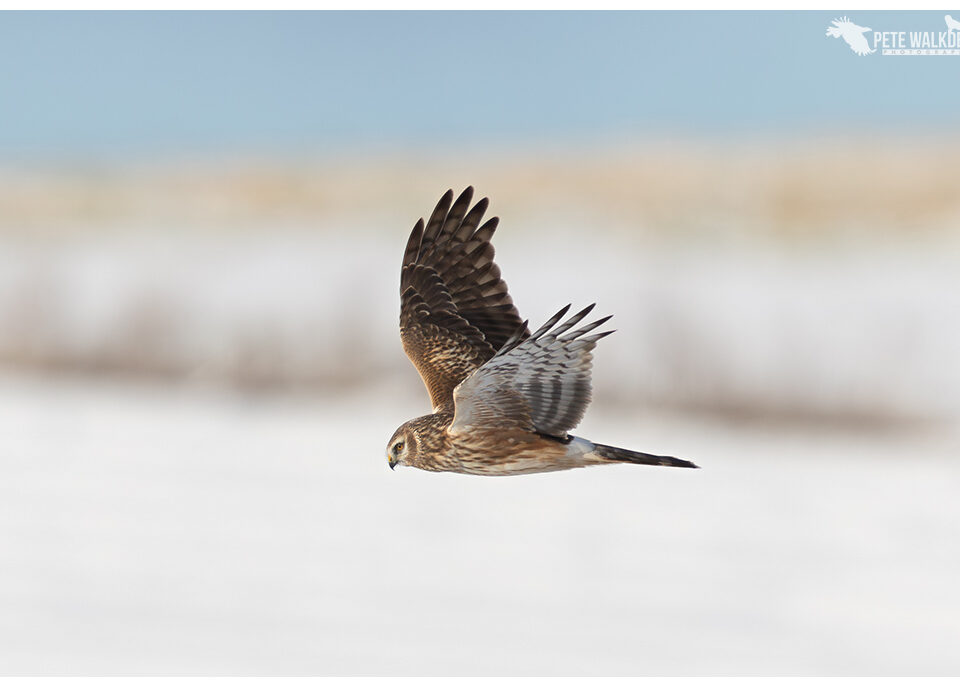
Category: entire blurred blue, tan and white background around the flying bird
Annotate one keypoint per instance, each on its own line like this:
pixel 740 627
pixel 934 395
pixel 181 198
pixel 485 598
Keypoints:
pixel 201 222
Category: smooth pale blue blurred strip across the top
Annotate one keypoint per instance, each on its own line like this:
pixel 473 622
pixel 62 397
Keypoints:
pixel 108 85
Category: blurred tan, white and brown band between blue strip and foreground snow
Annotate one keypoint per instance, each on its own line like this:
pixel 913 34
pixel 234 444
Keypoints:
pixel 801 281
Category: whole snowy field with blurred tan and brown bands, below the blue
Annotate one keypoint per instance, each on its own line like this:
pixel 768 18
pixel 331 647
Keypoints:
pixel 199 372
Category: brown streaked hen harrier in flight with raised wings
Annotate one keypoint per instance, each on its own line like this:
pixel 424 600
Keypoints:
pixel 503 398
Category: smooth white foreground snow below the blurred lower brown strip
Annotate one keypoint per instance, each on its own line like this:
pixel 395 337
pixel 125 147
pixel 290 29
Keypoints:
pixel 163 529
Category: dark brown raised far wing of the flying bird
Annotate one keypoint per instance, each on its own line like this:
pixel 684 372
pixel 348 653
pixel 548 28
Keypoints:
pixel 455 311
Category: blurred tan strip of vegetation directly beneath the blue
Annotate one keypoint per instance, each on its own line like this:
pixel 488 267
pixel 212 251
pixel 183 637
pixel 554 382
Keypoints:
pixel 816 187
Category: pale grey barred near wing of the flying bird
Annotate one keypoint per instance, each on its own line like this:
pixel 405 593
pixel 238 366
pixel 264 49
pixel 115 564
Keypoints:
pixel 539 384
